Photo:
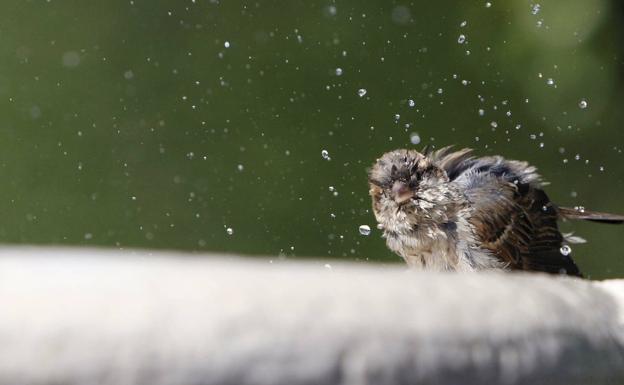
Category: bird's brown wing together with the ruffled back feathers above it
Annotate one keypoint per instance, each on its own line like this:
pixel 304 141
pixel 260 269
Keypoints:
pixel 512 216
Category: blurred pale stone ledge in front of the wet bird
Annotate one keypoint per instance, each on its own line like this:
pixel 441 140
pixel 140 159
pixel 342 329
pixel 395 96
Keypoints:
pixel 80 316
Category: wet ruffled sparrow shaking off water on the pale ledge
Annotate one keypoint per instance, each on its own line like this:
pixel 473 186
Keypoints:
pixel 449 210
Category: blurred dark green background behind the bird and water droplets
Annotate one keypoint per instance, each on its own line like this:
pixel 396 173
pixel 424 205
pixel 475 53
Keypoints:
pixel 160 124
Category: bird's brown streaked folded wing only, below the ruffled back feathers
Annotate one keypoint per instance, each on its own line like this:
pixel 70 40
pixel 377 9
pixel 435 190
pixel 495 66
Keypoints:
pixel 516 222
